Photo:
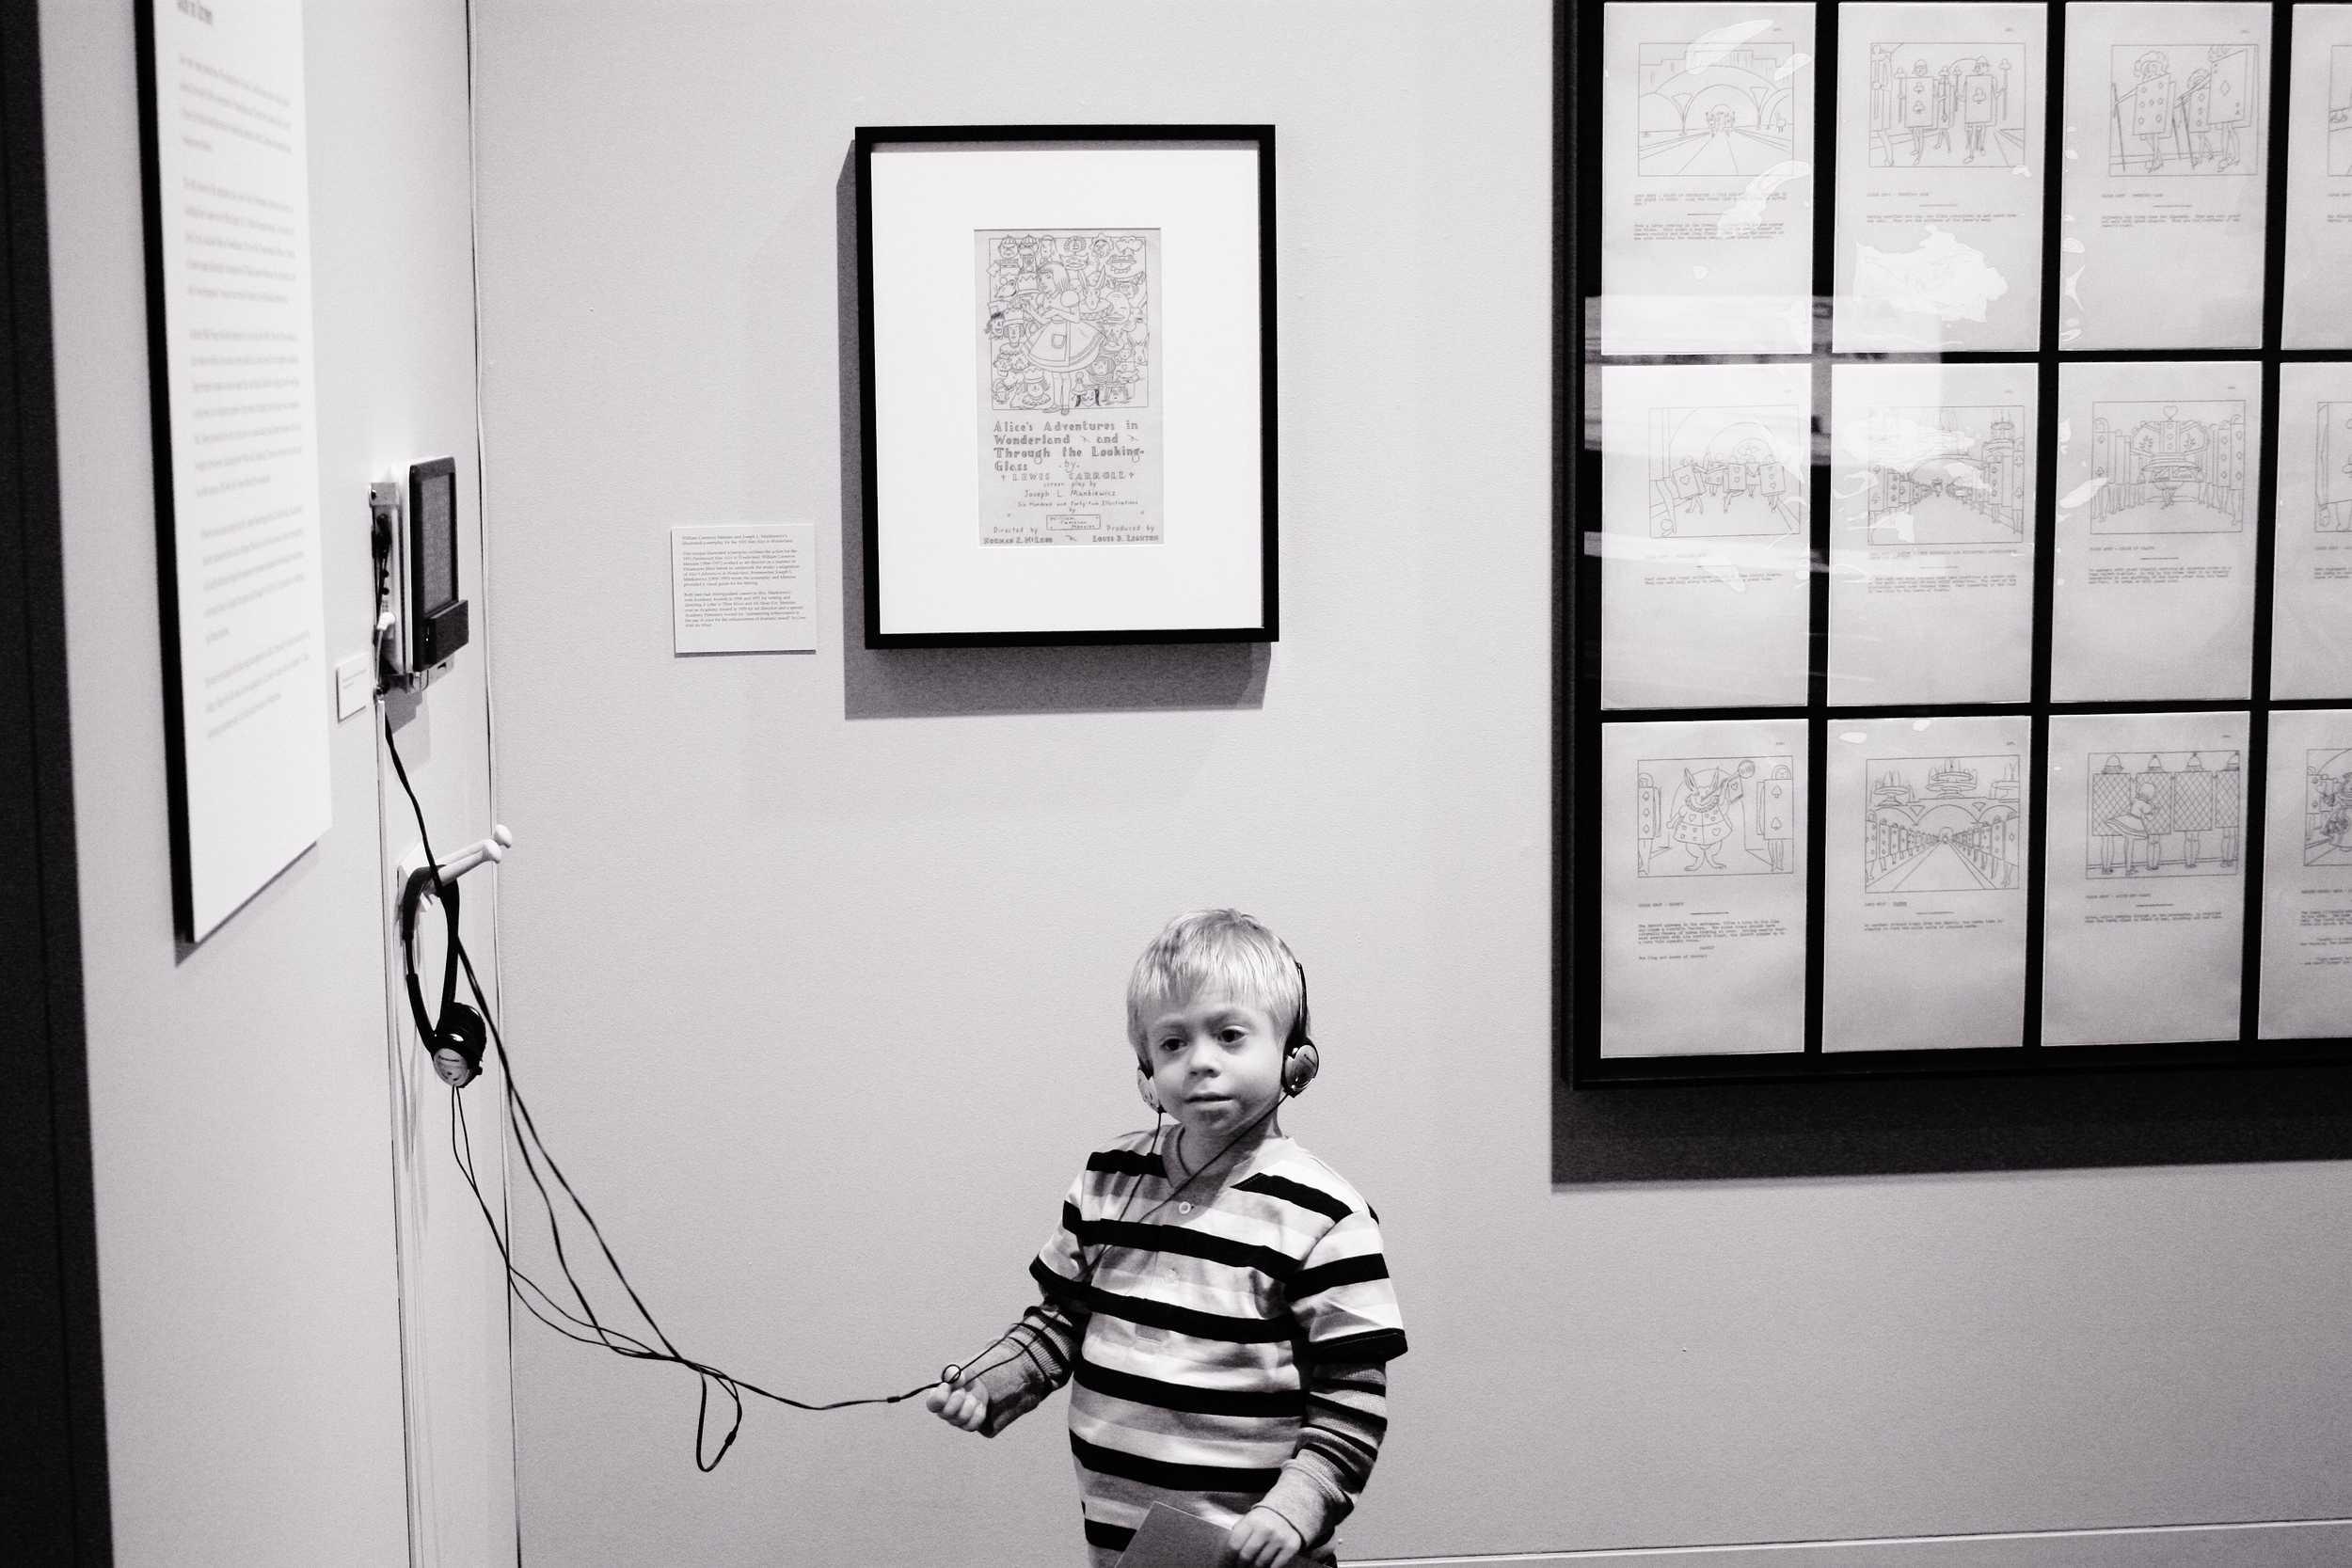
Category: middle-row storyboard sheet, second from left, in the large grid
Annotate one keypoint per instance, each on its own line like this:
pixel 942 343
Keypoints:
pixel 1932 542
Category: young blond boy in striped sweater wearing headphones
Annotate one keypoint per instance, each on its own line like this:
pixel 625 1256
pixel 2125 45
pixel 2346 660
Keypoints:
pixel 1215 1292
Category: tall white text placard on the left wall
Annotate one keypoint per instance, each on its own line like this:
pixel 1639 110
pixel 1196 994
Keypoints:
pixel 248 692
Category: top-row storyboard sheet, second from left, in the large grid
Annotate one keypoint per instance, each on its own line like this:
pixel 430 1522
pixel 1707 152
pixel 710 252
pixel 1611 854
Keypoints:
pixel 1939 177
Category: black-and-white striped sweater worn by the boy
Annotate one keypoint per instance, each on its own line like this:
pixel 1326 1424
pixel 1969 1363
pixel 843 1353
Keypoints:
pixel 1227 1353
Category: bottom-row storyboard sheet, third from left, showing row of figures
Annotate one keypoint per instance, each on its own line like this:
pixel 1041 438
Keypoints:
pixel 2146 878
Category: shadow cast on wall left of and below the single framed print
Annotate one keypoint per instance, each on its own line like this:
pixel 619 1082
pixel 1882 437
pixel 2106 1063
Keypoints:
pixel 930 683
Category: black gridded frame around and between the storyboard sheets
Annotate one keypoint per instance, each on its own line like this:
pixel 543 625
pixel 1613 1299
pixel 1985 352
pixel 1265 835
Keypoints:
pixel 1579 612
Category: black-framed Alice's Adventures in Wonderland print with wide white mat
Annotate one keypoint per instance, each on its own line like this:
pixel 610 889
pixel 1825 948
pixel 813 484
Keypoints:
pixel 1067 359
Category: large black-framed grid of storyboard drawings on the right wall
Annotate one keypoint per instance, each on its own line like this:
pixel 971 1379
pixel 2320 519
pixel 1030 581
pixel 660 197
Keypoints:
pixel 1960 605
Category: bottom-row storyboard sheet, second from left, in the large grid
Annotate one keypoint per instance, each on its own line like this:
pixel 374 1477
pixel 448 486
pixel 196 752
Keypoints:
pixel 1925 885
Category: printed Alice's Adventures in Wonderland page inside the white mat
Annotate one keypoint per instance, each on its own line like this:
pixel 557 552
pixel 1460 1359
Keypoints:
pixel 1069 368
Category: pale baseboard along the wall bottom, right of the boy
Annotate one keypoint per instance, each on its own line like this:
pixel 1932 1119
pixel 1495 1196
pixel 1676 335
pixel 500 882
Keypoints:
pixel 2285 1543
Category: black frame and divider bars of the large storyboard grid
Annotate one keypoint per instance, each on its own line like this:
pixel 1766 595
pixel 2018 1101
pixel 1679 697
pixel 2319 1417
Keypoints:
pixel 1577 615
